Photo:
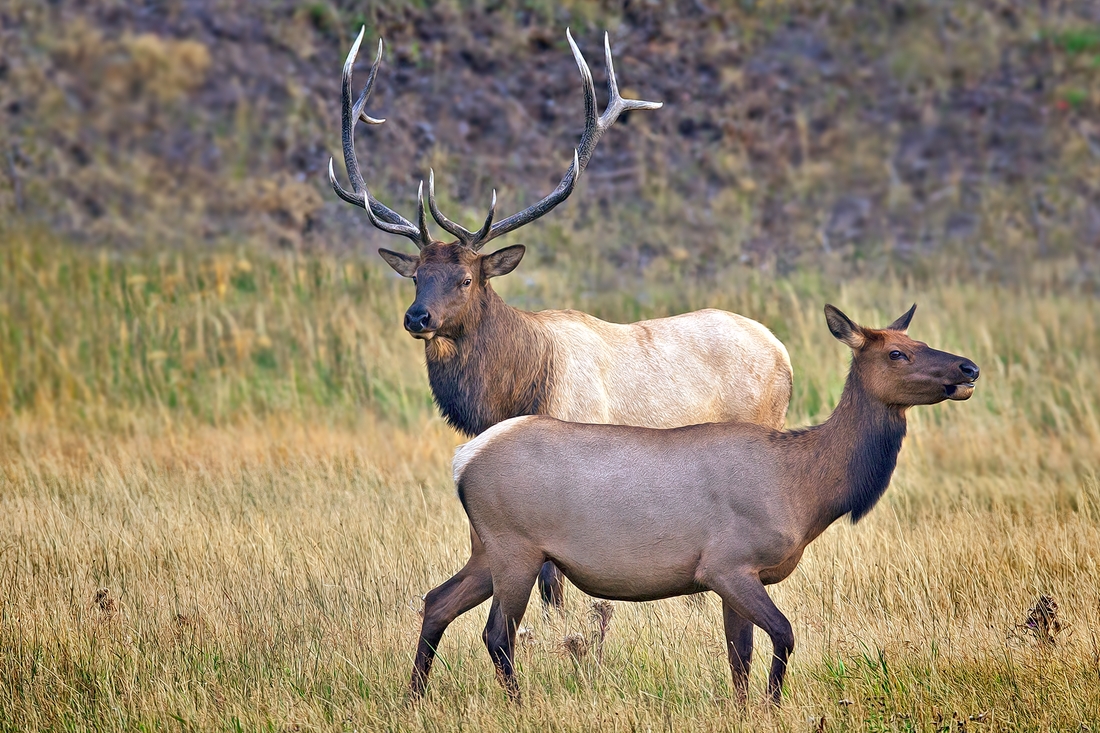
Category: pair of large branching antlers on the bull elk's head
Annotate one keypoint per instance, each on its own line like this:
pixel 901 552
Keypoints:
pixel 391 222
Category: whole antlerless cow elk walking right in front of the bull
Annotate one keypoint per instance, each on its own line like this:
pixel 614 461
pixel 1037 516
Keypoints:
pixel 640 515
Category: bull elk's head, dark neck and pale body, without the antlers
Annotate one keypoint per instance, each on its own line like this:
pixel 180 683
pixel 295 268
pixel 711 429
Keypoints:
pixel 489 362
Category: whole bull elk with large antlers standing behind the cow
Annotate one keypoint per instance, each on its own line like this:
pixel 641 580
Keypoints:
pixel 489 362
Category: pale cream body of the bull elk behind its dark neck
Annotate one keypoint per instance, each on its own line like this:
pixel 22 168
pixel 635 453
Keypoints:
pixel 708 366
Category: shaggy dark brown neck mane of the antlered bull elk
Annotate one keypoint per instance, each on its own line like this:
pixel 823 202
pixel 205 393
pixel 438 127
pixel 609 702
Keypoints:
pixel 496 365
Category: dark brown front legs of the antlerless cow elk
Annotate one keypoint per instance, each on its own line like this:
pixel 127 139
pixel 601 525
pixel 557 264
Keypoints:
pixel 746 597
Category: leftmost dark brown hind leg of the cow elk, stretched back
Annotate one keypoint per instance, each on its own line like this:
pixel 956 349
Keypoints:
pixel 469 587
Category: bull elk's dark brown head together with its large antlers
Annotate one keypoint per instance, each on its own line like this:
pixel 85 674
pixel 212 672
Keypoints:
pixel 452 277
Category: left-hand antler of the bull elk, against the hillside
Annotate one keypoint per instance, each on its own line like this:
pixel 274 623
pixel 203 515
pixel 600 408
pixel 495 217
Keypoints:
pixel 351 113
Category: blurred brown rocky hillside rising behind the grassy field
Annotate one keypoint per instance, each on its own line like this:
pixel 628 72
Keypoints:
pixel 795 135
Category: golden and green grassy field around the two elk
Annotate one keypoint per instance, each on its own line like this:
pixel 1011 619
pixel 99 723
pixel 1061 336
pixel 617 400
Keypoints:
pixel 224 490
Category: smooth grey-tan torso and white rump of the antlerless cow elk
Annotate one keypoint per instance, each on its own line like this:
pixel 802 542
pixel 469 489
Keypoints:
pixel 625 527
